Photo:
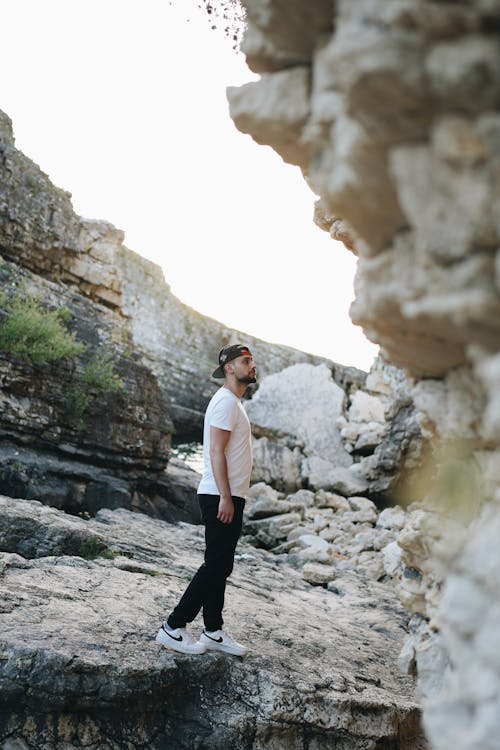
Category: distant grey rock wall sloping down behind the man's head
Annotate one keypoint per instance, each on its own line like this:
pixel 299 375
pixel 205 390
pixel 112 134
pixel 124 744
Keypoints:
pixel 181 345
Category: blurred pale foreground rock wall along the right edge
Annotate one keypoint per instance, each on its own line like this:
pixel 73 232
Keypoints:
pixel 392 111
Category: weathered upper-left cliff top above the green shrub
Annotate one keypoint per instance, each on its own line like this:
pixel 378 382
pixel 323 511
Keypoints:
pixel 40 230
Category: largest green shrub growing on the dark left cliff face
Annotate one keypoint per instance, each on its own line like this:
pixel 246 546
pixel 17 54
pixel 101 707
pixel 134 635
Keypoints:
pixel 33 333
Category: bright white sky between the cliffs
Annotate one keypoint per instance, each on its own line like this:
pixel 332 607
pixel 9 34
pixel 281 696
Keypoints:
pixel 123 104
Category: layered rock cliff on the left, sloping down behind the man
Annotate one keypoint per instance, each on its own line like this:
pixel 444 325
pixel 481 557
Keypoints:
pixel 119 306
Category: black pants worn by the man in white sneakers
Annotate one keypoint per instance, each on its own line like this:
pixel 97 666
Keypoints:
pixel 208 586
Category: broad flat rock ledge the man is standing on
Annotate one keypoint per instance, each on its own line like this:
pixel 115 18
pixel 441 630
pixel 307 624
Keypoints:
pixel 79 667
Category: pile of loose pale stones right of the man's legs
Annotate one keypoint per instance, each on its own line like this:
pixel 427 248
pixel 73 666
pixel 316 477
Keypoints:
pixel 324 533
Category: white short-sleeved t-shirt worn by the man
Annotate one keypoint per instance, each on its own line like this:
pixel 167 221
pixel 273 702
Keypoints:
pixel 226 411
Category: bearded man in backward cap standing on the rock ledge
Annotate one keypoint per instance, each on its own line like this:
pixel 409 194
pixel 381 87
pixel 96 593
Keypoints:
pixel 227 456
